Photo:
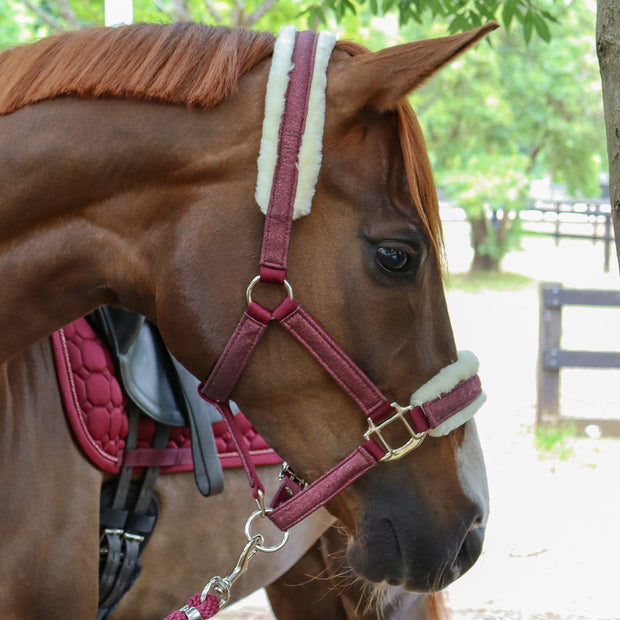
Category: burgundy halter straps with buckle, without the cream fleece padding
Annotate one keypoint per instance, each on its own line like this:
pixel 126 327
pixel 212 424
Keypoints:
pixel 295 501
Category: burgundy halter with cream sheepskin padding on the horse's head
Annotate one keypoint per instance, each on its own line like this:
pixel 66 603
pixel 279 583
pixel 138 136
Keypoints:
pixel 288 167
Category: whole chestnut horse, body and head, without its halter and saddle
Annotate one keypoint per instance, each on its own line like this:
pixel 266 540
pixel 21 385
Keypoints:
pixel 128 163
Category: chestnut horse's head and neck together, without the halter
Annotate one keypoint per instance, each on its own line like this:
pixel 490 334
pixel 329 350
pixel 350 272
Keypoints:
pixel 158 199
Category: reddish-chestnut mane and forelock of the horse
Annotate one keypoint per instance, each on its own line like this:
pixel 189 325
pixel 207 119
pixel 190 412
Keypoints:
pixel 186 64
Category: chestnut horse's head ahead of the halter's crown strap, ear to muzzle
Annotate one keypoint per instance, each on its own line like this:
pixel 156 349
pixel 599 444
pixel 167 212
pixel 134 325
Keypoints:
pixel 367 263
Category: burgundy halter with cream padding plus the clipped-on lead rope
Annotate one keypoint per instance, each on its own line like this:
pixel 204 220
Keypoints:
pixel 444 401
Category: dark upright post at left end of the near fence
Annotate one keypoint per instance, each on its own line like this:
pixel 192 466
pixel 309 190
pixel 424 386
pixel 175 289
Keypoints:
pixel 550 330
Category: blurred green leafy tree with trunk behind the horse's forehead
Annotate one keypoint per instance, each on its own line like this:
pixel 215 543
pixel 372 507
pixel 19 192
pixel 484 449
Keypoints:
pixel 508 113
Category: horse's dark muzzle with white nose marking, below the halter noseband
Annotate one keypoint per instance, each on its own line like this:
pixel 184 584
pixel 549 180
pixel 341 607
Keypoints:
pixel 423 529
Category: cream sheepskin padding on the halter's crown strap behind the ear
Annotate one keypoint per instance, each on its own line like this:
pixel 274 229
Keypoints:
pixel 309 157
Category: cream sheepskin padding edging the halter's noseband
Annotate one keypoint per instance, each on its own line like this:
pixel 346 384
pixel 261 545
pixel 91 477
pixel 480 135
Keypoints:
pixel 443 382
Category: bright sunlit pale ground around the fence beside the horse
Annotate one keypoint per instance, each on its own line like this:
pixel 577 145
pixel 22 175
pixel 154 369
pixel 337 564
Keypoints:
pixel 553 540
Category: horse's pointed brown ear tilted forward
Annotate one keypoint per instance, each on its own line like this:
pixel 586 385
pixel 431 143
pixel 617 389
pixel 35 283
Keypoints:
pixel 382 78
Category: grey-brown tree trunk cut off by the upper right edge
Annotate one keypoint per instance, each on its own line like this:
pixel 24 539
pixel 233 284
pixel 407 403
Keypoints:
pixel 608 49
